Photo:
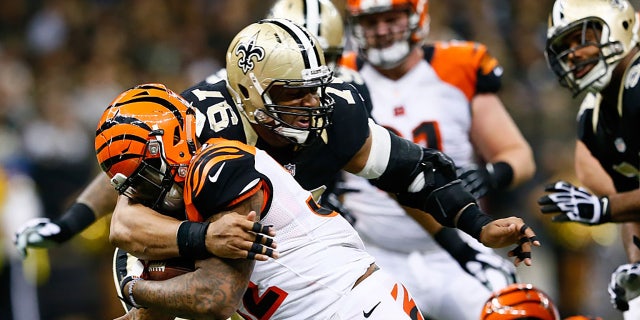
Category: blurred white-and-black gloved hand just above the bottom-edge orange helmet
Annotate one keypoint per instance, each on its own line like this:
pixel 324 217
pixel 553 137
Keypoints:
pixel 493 271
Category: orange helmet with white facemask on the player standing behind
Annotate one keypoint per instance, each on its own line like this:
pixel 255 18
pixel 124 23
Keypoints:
pixel 392 56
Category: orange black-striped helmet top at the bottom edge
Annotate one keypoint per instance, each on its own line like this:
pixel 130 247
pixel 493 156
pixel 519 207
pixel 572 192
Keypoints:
pixel 519 301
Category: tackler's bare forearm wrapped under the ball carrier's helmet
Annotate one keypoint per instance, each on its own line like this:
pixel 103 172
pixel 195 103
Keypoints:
pixel 143 232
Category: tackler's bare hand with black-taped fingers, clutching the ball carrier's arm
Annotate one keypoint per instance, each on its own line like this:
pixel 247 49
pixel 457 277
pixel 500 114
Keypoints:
pixel 237 236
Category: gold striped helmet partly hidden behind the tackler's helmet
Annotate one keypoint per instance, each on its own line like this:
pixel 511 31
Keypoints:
pixel 321 18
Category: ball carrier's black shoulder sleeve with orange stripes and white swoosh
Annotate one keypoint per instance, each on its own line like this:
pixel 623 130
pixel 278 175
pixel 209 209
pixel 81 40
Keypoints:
pixel 220 176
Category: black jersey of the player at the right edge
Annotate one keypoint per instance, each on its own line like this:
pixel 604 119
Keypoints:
pixel 610 130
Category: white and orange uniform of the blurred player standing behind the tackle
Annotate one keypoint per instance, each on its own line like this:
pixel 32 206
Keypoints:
pixel 431 106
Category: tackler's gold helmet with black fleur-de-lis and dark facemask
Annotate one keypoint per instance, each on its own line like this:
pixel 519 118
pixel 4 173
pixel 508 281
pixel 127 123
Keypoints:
pixel 272 54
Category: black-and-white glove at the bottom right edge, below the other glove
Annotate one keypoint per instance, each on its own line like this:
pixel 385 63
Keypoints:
pixel 624 285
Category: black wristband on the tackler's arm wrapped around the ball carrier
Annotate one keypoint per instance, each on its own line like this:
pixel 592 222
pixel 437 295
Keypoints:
pixel 191 240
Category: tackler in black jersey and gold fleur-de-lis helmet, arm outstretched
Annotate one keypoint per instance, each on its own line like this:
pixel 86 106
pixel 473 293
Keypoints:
pixel 313 135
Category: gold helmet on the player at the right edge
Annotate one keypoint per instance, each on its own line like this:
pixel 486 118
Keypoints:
pixel 615 21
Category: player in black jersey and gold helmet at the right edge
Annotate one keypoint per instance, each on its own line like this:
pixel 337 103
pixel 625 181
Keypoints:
pixel 592 46
